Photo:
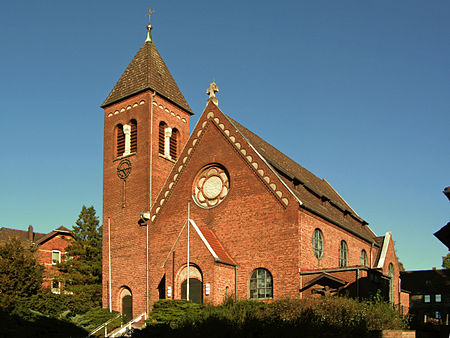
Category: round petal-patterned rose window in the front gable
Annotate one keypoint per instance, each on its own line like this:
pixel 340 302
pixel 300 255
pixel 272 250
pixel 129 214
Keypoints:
pixel 211 186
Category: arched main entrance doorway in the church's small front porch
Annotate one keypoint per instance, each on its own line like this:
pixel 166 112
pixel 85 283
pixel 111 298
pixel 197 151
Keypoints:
pixel 195 283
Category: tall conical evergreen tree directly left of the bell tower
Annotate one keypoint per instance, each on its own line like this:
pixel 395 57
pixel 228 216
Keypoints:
pixel 82 267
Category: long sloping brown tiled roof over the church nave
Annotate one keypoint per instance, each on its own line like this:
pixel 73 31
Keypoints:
pixel 310 190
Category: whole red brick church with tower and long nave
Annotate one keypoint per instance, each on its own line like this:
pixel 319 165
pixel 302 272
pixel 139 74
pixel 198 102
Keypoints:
pixel 251 222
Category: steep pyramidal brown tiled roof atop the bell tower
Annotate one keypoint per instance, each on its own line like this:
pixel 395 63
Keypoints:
pixel 147 71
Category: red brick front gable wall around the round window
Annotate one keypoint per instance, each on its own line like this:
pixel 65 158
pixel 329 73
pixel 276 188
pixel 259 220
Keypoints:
pixel 251 223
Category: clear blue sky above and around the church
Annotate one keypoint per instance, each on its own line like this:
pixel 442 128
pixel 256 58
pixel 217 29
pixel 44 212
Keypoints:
pixel 357 92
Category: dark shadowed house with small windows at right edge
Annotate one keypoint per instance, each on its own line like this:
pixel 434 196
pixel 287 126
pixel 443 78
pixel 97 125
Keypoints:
pixel 429 295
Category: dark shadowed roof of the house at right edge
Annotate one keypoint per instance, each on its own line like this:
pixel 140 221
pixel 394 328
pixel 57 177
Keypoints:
pixel 426 281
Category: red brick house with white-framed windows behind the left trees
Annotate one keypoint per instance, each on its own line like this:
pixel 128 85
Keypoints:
pixel 51 249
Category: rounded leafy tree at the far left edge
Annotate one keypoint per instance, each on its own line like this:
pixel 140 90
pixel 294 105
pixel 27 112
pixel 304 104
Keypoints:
pixel 20 273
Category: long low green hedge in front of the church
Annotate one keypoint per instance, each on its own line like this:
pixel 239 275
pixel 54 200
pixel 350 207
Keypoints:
pixel 324 317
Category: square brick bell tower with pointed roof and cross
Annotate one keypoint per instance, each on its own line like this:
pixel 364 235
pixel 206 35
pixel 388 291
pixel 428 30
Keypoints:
pixel 146 126
